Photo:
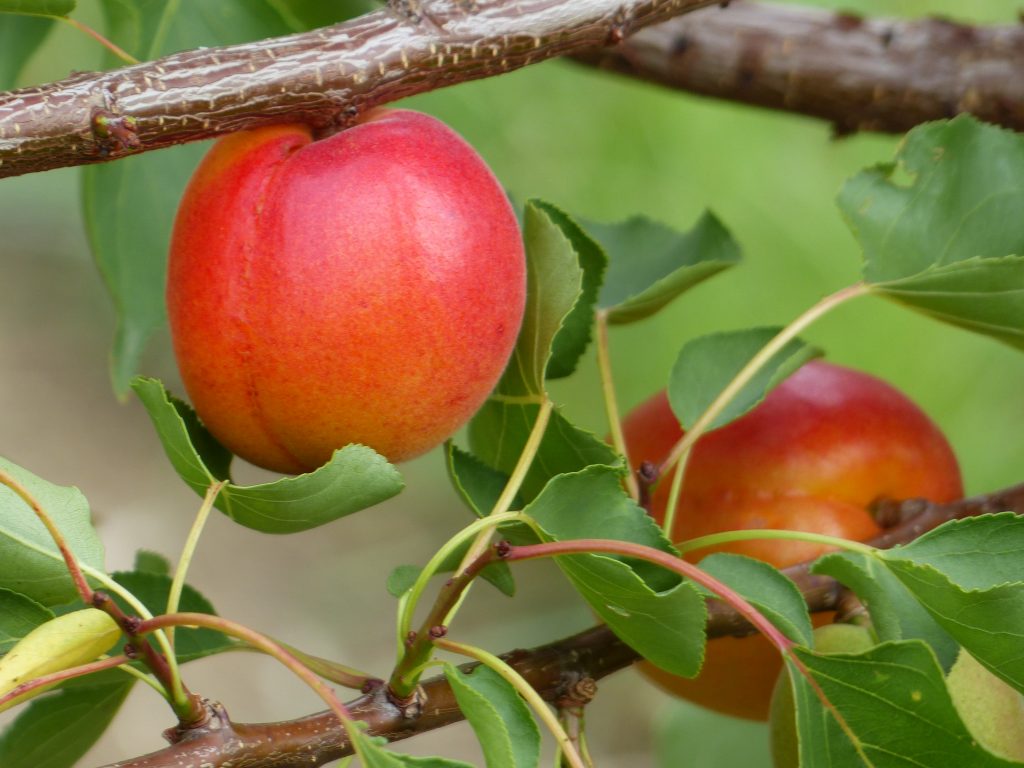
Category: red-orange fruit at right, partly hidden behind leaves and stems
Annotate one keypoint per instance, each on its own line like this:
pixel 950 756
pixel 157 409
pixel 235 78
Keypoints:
pixel 823 447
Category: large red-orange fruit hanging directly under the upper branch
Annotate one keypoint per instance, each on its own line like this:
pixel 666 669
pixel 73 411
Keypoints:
pixel 364 288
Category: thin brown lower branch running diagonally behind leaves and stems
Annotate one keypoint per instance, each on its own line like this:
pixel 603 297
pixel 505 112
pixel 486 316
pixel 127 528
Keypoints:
pixel 559 671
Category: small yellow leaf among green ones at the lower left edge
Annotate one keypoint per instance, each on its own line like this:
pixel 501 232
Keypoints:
pixel 61 644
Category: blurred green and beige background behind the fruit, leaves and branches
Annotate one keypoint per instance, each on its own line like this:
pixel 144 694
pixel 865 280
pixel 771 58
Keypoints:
pixel 599 146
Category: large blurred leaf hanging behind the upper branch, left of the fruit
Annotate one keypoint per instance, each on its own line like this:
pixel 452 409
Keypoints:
pixel 130 206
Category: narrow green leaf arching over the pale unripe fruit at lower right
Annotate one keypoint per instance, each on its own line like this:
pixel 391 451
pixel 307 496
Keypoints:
pixel 897 615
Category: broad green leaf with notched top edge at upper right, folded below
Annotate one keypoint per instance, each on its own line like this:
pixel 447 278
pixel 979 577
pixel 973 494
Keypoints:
pixel 949 241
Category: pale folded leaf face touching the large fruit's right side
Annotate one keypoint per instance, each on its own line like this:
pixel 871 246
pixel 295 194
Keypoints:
pixel 554 284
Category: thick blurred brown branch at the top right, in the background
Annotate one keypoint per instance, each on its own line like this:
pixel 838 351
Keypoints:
pixel 860 74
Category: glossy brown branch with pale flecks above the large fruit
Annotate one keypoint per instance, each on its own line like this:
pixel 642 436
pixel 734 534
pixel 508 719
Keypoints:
pixel 325 78
